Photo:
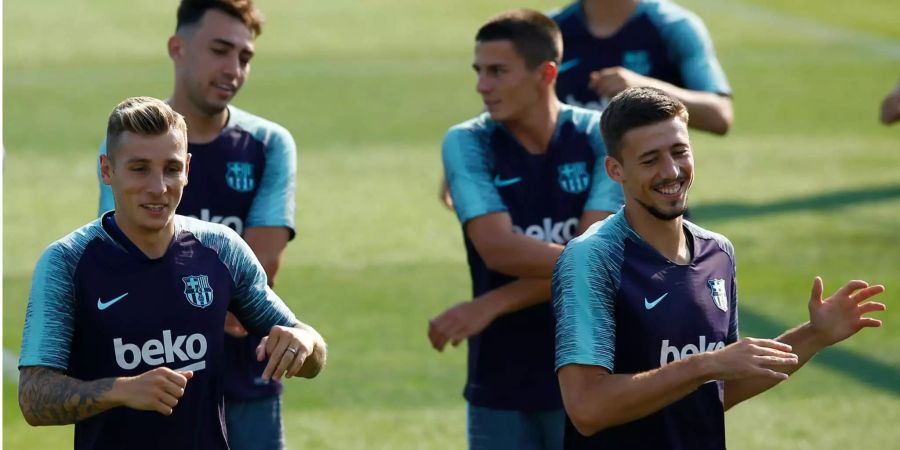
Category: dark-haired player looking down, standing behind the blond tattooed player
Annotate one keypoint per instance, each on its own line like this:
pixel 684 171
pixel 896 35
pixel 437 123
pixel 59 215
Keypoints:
pixel 243 176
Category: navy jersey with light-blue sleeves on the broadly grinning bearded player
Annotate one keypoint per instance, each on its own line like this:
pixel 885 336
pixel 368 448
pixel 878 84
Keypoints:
pixel 621 305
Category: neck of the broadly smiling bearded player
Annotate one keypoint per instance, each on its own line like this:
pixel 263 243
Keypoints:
pixel 666 236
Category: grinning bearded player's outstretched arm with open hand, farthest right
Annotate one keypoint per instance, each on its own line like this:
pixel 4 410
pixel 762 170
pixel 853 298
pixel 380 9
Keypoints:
pixel 830 321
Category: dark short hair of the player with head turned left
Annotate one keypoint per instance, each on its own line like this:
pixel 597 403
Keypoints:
pixel 535 36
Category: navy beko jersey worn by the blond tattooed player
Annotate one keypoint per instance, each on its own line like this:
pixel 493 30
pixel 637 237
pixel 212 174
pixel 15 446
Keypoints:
pixel 100 308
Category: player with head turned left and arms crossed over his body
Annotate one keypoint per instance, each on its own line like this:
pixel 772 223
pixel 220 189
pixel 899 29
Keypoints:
pixel 526 176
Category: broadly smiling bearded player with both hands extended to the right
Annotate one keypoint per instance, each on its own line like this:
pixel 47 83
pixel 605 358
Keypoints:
pixel 647 347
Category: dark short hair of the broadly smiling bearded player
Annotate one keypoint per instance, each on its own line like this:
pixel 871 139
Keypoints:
pixel 636 107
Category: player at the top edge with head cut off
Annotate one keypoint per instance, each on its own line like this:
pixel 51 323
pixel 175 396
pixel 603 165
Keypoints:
pixel 615 44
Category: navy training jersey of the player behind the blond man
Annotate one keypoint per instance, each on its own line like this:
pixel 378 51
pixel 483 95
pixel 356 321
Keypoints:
pixel 244 178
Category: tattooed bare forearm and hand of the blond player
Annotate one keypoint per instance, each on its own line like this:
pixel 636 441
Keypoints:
pixel 49 397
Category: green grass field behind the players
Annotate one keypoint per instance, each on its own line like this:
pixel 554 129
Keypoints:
pixel 805 184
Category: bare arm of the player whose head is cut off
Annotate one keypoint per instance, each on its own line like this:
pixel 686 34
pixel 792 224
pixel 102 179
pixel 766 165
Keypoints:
pixel 708 111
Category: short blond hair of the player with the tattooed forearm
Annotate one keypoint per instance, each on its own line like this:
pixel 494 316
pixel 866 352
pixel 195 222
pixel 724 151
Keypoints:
pixel 145 116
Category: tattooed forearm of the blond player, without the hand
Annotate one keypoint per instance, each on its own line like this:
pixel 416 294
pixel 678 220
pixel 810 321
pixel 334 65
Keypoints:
pixel 48 397
